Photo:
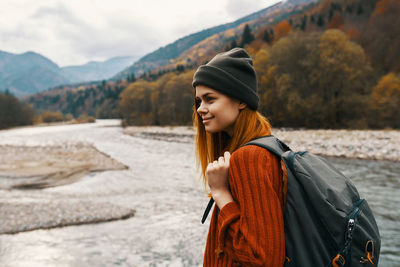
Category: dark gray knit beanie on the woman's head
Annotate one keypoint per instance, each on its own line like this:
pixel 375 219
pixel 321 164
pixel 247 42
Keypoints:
pixel 231 73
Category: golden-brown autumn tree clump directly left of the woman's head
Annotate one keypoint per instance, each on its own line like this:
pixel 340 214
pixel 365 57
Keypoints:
pixel 167 100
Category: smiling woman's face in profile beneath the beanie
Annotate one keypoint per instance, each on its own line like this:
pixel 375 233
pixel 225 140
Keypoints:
pixel 218 111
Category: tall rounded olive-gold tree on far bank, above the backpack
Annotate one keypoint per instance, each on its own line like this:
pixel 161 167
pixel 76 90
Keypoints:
pixel 343 72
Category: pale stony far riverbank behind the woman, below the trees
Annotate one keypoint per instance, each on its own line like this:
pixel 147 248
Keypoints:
pixel 362 144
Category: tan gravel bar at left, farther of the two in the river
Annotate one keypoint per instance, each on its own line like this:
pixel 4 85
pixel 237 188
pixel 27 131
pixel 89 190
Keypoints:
pixel 35 167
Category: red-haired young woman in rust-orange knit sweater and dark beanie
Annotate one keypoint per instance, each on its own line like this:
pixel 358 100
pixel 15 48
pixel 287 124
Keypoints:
pixel 246 183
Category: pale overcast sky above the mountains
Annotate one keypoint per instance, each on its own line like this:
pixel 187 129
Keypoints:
pixel 73 32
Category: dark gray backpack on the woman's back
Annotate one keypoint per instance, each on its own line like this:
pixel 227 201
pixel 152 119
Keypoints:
pixel 326 222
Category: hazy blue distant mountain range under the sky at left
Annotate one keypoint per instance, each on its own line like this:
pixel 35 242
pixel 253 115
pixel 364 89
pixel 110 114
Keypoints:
pixel 30 72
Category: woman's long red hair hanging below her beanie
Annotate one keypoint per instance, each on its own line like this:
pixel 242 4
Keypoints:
pixel 250 124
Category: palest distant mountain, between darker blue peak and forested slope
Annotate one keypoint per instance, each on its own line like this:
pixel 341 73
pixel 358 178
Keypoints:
pixel 94 70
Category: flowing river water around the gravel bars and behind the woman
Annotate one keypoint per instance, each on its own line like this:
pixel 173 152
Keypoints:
pixel 161 184
